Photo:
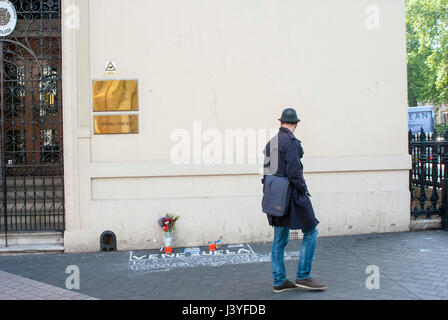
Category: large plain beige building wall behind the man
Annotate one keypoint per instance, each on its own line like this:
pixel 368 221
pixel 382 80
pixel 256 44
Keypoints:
pixel 235 65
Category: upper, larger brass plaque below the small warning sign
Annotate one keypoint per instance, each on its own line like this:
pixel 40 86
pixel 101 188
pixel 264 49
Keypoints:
pixel 115 95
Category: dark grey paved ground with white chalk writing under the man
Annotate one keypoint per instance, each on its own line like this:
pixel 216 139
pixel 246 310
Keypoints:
pixel 411 266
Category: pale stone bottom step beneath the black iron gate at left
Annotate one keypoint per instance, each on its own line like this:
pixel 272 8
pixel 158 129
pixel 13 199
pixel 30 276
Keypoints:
pixel 33 238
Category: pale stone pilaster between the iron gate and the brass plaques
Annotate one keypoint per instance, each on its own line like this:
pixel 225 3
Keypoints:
pixel 77 118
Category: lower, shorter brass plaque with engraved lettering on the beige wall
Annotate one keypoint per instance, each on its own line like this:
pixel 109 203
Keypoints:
pixel 123 124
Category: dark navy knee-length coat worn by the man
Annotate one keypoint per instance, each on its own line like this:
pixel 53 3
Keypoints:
pixel 285 161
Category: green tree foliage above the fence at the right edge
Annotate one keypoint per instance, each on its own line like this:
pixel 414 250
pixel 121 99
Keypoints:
pixel 427 42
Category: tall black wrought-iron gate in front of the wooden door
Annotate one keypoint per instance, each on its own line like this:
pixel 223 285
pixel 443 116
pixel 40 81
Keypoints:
pixel 31 123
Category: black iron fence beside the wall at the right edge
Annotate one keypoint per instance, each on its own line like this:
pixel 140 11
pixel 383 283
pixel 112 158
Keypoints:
pixel 428 179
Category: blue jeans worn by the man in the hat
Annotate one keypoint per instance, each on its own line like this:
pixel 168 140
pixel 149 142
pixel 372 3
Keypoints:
pixel 281 239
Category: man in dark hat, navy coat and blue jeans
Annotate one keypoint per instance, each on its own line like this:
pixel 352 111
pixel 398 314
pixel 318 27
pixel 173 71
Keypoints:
pixel 283 154
